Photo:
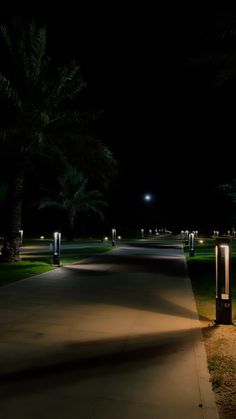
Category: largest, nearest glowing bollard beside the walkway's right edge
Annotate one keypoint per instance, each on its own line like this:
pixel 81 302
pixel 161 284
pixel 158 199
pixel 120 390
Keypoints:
pixel 223 281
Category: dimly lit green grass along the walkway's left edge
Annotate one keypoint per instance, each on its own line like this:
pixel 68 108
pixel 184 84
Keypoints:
pixel 34 263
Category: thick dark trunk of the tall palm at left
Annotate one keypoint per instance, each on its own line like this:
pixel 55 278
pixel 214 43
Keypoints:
pixel 11 237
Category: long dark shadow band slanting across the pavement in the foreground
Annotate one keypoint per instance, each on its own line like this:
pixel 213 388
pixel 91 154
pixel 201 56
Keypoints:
pixel 141 352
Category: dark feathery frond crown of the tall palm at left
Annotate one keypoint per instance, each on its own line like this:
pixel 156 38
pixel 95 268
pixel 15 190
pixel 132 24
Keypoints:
pixel 35 95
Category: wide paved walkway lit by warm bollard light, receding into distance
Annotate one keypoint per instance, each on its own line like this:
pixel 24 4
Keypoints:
pixel 115 337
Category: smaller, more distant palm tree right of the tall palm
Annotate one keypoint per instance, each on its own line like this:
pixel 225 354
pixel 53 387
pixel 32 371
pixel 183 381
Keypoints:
pixel 74 198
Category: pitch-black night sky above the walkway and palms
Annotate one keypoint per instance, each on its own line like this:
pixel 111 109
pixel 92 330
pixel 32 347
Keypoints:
pixel 162 76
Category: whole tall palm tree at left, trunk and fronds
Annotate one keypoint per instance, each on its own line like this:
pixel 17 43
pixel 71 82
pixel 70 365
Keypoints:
pixel 36 102
